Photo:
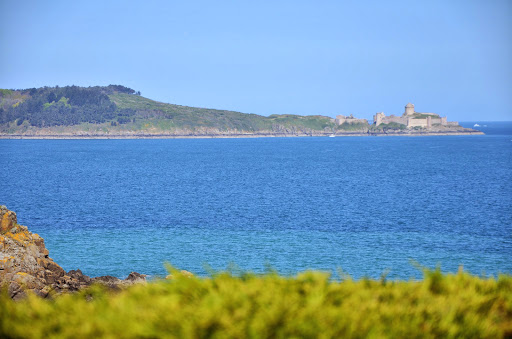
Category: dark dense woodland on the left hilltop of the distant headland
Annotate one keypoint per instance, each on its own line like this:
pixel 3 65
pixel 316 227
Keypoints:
pixel 70 105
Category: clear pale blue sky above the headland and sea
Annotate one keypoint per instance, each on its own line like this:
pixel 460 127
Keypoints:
pixel 270 57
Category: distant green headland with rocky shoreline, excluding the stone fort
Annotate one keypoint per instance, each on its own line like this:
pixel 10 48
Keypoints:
pixel 119 112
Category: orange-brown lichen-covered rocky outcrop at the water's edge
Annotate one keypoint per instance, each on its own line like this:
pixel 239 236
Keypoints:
pixel 25 264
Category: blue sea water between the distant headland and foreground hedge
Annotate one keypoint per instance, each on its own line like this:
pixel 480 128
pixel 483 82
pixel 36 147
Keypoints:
pixel 363 204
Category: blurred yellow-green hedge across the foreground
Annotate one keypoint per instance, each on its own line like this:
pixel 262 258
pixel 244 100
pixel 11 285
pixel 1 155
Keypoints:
pixel 272 306
